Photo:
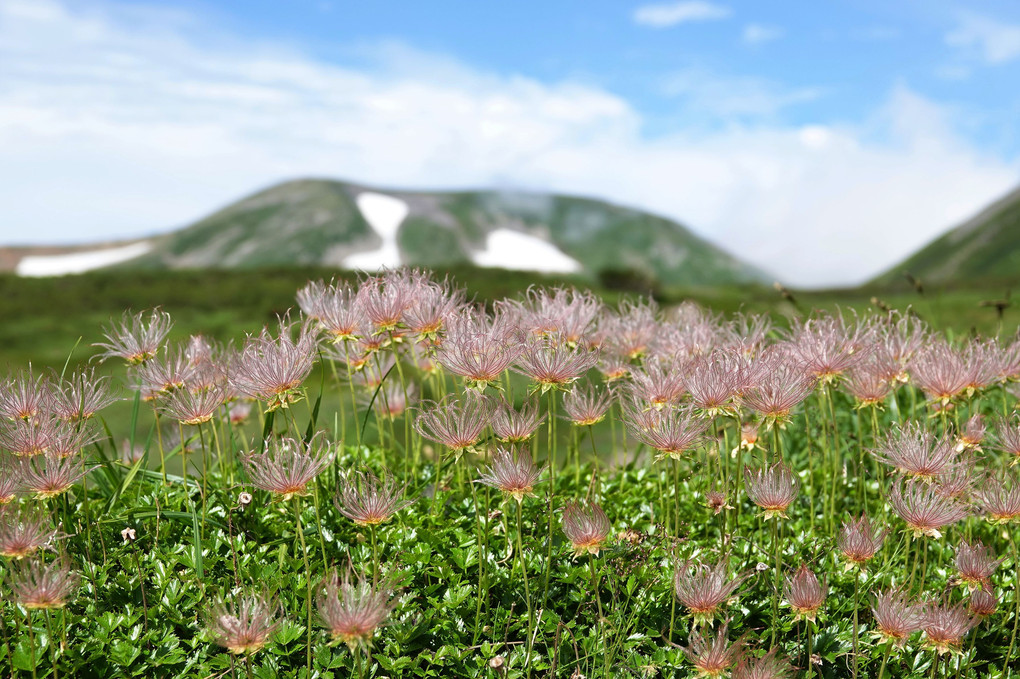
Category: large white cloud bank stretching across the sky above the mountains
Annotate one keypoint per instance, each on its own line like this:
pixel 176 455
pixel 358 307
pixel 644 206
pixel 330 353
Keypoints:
pixel 114 125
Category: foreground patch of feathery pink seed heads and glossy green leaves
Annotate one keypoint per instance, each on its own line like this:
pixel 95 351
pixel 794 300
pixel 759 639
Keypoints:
pixel 399 485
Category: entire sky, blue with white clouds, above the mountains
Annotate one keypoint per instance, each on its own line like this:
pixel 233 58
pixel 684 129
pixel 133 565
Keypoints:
pixel 821 141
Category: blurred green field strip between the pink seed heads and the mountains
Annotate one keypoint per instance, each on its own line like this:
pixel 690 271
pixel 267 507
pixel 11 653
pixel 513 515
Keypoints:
pixel 42 321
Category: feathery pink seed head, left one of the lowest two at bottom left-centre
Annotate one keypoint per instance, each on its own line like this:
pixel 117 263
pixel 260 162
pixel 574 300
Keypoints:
pixel 244 625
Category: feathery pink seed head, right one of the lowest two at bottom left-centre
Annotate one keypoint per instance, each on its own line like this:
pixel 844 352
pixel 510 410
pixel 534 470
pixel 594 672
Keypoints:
pixel 351 612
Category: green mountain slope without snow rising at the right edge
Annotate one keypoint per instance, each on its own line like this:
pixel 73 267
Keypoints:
pixel 987 246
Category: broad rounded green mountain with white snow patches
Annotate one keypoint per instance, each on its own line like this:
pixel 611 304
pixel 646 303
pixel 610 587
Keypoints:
pixel 337 224
